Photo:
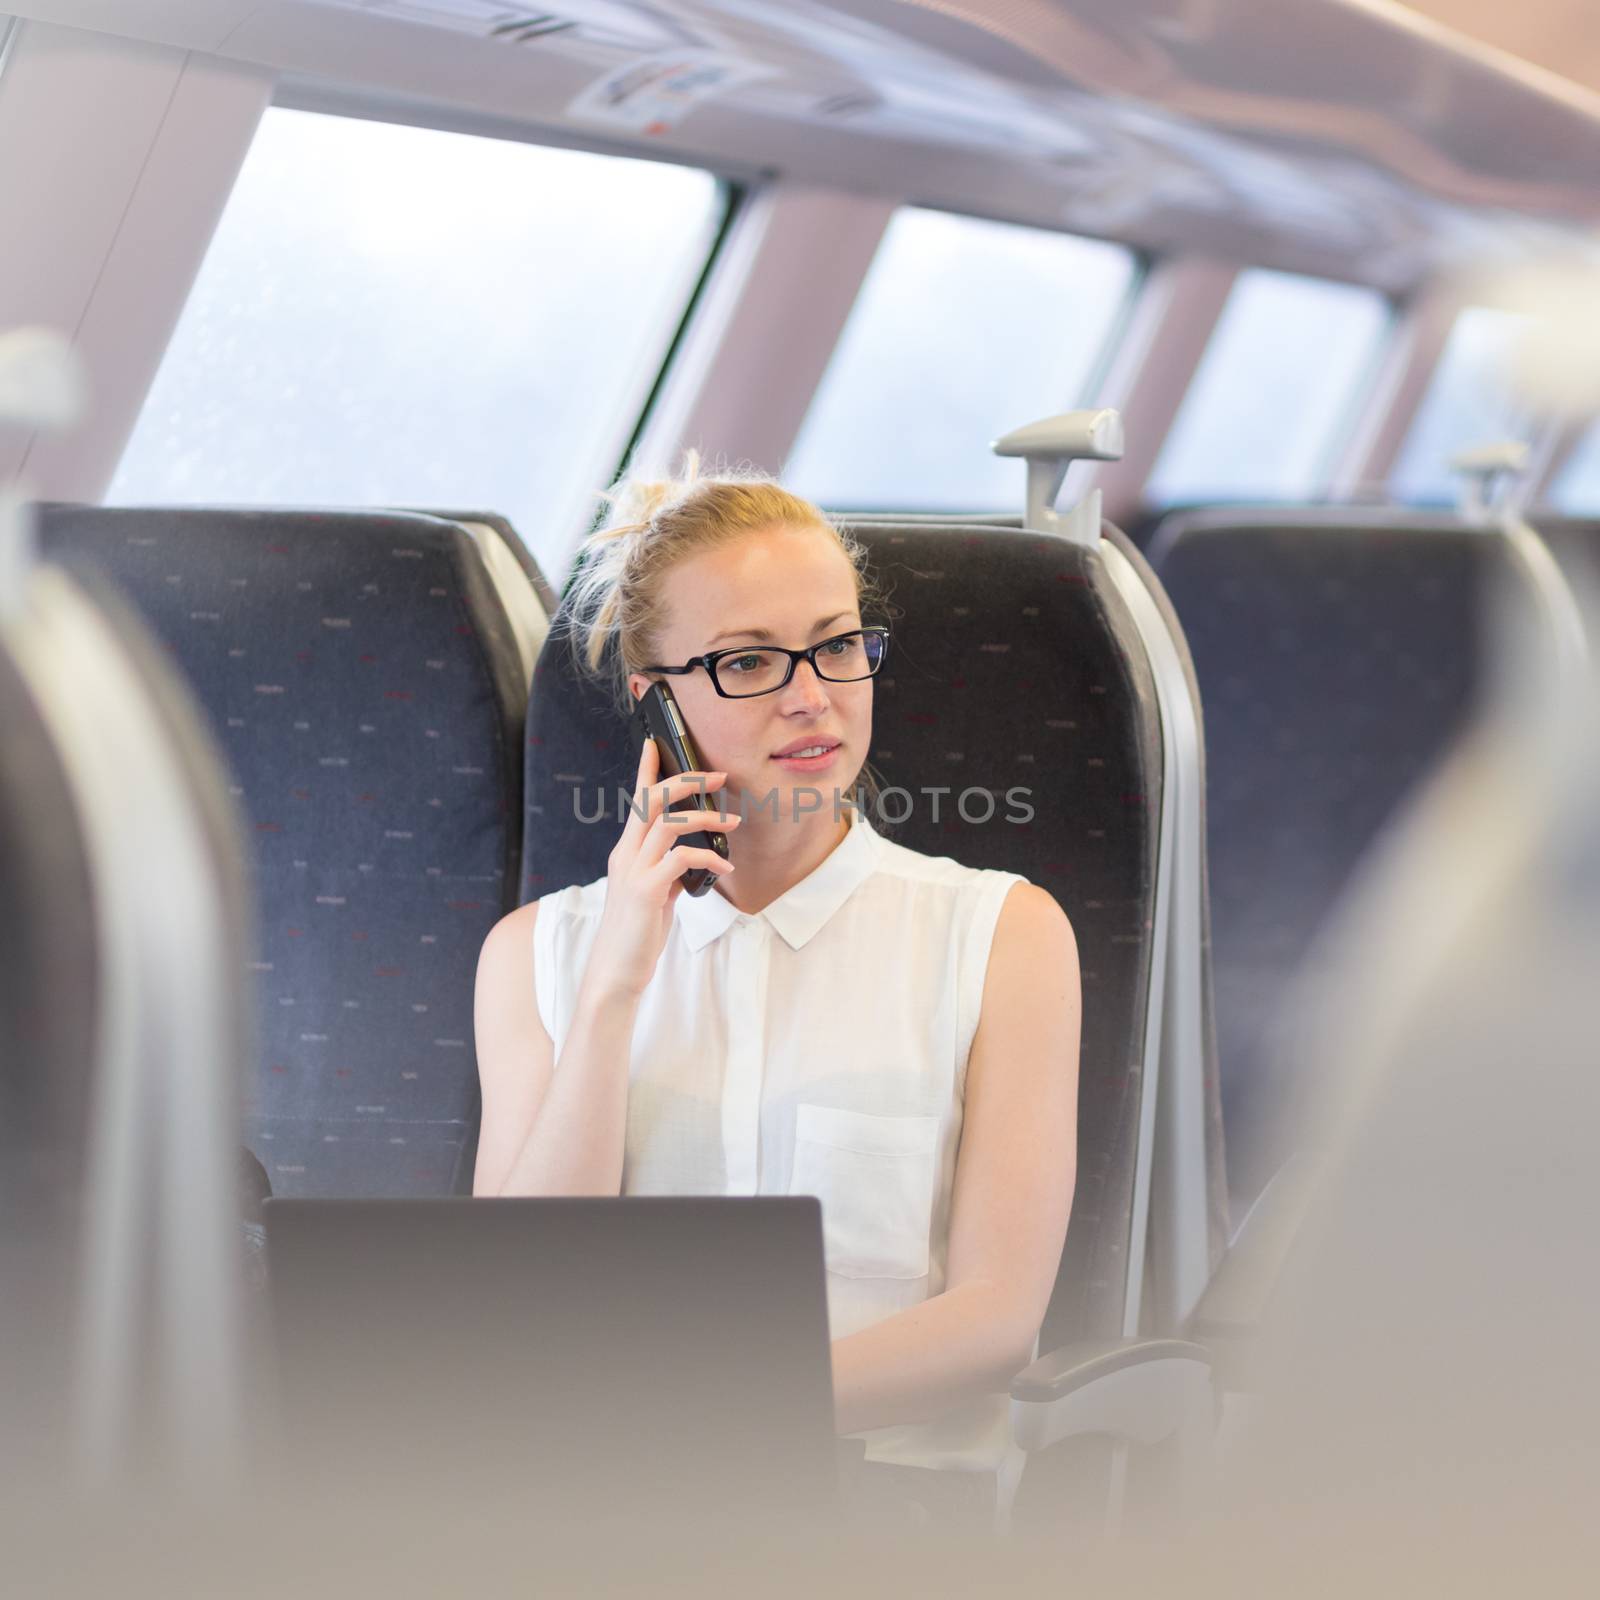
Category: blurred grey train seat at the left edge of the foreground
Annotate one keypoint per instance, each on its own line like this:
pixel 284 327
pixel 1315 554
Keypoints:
pixel 124 1042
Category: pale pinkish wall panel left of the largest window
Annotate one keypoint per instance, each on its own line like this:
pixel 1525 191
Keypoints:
pixel 116 162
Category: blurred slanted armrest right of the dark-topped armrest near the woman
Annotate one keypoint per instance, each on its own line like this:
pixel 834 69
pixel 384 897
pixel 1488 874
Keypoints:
pixel 1230 1314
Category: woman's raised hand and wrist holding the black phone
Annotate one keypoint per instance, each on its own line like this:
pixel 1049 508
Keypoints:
pixel 646 874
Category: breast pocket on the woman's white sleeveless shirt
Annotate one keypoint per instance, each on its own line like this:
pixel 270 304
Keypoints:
pixel 876 1178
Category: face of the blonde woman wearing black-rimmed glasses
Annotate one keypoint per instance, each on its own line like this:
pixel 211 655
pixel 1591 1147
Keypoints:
pixel 783 586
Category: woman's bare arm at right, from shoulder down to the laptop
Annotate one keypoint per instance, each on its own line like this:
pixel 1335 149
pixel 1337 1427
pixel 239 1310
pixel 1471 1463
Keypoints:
pixel 1014 1191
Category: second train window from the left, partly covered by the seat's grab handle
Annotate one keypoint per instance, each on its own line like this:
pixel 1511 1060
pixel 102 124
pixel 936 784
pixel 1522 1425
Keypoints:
pixel 962 332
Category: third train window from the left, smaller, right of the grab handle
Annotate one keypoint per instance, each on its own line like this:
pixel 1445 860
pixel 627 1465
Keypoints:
pixel 1274 393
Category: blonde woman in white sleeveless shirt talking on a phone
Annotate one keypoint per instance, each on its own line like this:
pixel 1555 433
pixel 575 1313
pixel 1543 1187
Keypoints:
pixel 838 1015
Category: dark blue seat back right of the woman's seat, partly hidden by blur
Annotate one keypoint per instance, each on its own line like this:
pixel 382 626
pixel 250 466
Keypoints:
pixel 1338 662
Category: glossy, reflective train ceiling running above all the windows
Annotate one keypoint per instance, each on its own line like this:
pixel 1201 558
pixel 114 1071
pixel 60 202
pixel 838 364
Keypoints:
pixel 1351 137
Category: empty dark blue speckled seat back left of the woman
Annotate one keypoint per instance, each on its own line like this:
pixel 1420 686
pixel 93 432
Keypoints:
pixel 362 682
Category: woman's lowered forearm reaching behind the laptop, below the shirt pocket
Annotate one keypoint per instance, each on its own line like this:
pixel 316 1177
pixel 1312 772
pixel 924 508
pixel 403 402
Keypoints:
pixel 921 1362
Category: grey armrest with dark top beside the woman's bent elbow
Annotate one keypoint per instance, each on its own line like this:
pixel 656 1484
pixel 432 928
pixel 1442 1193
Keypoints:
pixel 1142 1391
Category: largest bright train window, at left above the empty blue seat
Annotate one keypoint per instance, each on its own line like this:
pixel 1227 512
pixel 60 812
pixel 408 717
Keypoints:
pixel 398 316
